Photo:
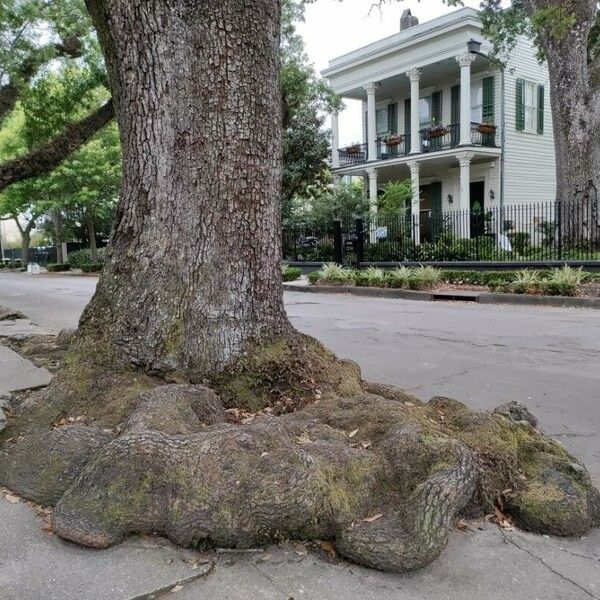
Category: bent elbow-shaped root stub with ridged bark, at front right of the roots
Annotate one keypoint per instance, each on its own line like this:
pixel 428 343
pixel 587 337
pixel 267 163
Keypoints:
pixel 413 532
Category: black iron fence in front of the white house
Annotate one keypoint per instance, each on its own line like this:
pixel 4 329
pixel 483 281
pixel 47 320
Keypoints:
pixel 528 232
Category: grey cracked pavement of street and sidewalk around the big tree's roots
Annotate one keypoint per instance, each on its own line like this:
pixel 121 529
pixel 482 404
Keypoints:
pixel 547 358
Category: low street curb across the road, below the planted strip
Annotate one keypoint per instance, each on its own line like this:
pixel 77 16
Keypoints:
pixel 481 298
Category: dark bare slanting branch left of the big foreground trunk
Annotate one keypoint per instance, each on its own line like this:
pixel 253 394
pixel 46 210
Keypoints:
pixel 51 154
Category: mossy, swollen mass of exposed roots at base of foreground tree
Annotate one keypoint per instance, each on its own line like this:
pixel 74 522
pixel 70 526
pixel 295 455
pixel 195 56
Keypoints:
pixel 367 466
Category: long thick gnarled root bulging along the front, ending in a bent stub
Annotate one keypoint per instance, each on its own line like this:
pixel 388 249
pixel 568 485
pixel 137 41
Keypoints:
pixel 289 477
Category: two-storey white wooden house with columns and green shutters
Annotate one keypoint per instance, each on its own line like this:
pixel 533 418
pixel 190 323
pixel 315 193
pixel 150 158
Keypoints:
pixel 439 111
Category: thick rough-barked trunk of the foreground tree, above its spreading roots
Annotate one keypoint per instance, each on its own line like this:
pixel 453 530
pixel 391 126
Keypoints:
pixel 193 267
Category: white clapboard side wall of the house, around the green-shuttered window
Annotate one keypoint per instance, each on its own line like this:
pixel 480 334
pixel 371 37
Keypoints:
pixel 530 174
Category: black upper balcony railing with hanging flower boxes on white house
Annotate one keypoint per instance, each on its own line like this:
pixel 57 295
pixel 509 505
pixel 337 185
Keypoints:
pixel 433 139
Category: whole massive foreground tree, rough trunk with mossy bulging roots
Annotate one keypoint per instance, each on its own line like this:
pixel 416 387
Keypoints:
pixel 127 440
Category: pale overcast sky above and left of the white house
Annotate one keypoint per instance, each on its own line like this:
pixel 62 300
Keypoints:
pixel 332 28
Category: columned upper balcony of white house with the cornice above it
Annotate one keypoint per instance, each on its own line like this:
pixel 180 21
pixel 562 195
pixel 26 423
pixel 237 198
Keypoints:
pixel 426 89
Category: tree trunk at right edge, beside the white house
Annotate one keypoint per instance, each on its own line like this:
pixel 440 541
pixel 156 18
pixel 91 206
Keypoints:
pixel 575 100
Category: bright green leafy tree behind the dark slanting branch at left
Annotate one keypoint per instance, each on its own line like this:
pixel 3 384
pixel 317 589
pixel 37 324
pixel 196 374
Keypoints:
pixel 47 106
